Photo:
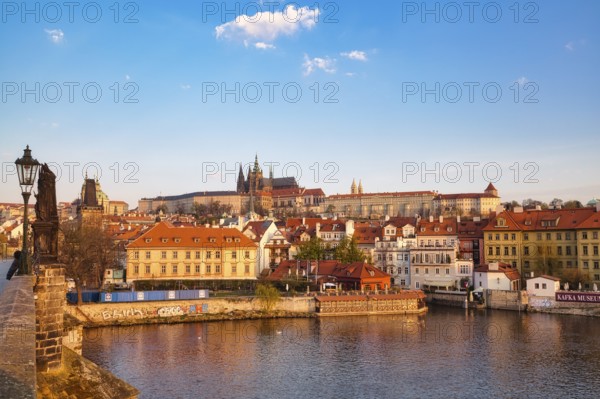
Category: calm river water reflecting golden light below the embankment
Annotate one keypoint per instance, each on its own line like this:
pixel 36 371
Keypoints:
pixel 447 353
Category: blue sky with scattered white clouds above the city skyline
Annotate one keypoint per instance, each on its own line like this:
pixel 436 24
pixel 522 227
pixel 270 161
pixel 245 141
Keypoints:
pixel 391 93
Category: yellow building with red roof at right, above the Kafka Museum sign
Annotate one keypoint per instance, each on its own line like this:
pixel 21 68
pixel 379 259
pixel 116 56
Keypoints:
pixel 558 242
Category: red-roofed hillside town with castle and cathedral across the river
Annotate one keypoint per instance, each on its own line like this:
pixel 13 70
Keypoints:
pixel 271 229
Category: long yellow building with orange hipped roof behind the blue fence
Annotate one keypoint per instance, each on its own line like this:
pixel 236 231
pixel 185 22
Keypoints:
pixel 191 253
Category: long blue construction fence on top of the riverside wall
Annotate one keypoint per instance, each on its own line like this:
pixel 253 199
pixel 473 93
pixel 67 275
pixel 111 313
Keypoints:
pixel 138 296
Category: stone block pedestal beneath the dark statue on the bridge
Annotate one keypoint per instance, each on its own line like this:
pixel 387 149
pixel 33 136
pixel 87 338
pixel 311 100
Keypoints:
pixel 50 294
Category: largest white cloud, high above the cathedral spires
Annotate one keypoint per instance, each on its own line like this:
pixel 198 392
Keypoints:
pixel 266 27
